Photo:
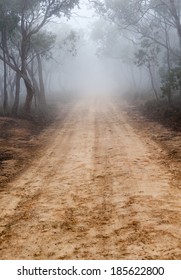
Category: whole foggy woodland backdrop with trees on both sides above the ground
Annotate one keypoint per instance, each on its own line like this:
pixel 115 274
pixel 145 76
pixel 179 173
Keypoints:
pixel 84 48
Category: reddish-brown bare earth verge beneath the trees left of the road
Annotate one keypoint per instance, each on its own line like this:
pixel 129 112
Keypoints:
pixel 21 141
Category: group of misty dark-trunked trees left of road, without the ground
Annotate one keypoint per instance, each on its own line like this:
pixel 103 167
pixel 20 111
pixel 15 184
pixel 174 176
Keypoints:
pixel 26 44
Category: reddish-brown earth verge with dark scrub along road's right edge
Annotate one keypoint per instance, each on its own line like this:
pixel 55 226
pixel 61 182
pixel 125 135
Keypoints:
pixel 165 131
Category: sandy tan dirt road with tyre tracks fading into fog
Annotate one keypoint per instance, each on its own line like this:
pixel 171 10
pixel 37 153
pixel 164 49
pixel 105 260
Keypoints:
pixel 98 191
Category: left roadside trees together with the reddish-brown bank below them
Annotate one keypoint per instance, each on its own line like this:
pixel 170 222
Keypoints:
pixel 30 50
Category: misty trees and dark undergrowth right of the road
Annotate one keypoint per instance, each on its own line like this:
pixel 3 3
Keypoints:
pixel 152 32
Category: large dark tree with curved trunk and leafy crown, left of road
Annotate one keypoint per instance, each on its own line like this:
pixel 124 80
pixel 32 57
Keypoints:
pixel 21 36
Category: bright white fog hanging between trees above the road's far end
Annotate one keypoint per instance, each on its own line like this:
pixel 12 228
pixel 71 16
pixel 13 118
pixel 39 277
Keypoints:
pixel 88 72
